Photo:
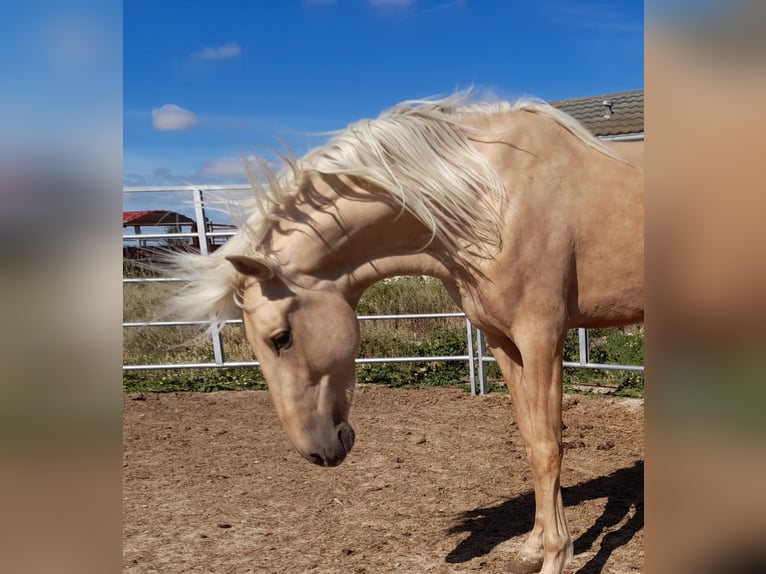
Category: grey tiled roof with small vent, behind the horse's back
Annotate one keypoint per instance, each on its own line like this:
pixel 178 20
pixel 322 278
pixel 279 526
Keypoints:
pixel 614 114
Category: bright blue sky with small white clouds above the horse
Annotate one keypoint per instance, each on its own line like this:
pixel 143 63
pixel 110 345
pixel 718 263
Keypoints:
pixel 204 81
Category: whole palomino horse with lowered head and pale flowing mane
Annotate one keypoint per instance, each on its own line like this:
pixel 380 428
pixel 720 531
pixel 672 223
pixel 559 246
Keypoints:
pixel 533 225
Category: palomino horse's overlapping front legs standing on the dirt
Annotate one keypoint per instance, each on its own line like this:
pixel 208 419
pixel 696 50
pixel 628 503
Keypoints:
pixel 533 373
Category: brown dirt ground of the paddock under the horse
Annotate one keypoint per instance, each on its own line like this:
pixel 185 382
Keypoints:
pixel 437 482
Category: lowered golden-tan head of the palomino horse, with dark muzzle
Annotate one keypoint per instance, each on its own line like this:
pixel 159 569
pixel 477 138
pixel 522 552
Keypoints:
pixel 306 341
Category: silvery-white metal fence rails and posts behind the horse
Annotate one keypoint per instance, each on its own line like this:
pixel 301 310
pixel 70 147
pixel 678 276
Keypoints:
pixel 475 357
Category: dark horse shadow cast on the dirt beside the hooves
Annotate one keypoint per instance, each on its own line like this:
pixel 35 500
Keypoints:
pixel 623 489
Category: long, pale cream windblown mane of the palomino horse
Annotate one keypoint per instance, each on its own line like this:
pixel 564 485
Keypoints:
pixel 418 154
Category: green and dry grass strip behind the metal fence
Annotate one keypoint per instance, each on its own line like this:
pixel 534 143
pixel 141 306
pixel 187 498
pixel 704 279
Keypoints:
pixel 384 338
